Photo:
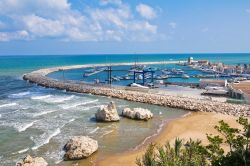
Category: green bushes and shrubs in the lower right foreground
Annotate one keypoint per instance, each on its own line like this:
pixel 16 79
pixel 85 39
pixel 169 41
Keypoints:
pixel 193 153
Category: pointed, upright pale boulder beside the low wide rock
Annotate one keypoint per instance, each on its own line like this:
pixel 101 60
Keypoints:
pixel 107 113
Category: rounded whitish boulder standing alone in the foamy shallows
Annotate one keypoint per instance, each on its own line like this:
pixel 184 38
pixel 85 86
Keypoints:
pixel 80 147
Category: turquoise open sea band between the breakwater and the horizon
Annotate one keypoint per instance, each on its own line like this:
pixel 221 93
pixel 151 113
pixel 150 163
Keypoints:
pixel 16 65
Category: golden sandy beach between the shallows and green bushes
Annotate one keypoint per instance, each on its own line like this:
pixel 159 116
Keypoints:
pixel 194 126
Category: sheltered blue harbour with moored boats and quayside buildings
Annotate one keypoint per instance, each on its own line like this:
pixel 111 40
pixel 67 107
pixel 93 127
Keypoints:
pixel 200 74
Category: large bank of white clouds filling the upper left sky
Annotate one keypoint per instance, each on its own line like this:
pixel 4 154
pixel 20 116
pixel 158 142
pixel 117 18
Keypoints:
pixel 58 19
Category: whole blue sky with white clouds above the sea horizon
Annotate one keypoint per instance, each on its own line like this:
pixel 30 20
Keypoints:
pixel 47 27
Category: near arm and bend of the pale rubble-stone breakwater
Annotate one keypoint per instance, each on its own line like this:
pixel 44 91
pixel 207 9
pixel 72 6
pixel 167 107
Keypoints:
pixel 39 77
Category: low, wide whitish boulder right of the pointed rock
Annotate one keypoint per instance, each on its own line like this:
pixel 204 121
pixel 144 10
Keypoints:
pixel 137 113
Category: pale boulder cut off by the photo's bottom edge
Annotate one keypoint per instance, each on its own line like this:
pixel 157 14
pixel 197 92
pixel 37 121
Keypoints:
pixel 29 161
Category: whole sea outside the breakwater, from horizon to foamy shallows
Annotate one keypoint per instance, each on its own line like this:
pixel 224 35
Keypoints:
pixel 39 121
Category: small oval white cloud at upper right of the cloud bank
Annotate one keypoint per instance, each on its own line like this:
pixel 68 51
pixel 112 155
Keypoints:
pixel 146 11
